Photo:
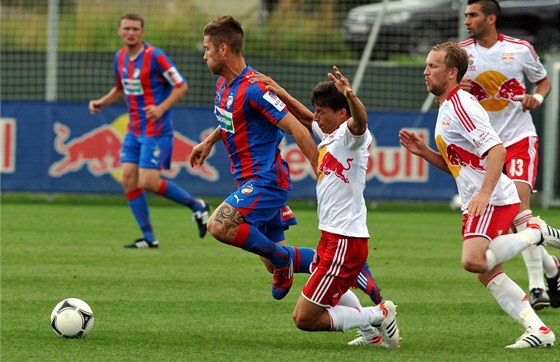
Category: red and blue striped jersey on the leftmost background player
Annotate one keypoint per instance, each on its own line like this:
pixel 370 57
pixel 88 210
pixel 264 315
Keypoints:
pixel 147 80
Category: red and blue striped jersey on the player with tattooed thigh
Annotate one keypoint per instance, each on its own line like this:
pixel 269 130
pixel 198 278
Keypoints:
pixel 248 114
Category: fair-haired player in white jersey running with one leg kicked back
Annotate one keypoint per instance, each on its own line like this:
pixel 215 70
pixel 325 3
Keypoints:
pixel 471 151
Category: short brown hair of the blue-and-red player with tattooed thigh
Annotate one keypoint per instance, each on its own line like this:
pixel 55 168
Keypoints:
pixel 226 30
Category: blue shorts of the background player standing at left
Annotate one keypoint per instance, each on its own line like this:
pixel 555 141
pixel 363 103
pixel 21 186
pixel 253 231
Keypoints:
pixel 147 152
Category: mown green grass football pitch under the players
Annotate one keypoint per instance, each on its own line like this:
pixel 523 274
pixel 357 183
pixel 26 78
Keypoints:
pixel 199 300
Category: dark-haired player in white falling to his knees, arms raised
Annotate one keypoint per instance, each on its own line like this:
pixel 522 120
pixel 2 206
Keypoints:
pixel 326 303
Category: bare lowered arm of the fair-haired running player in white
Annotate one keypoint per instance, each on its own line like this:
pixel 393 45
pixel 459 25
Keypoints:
pixel 494 165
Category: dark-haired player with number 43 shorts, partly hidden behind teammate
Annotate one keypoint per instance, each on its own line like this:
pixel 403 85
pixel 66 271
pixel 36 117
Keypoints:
pixel 496 76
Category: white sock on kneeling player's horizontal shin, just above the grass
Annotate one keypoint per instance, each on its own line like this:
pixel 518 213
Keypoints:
pixel 345 318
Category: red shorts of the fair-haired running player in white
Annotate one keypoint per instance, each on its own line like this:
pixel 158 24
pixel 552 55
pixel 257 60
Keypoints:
pixel 493 222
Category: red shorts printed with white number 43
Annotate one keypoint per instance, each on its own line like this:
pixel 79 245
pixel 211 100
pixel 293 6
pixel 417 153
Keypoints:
pixel 522 159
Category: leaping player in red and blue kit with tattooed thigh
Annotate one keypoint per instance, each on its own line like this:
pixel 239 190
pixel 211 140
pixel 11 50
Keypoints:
pixel 252 123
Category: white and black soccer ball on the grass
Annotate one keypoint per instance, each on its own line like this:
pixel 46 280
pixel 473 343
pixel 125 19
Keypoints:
pixel 72 318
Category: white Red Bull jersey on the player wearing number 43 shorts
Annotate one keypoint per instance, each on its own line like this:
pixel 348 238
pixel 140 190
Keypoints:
pixel 498 75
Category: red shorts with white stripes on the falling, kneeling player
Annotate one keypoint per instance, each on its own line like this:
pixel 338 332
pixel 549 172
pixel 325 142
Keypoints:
pixel 339 261
